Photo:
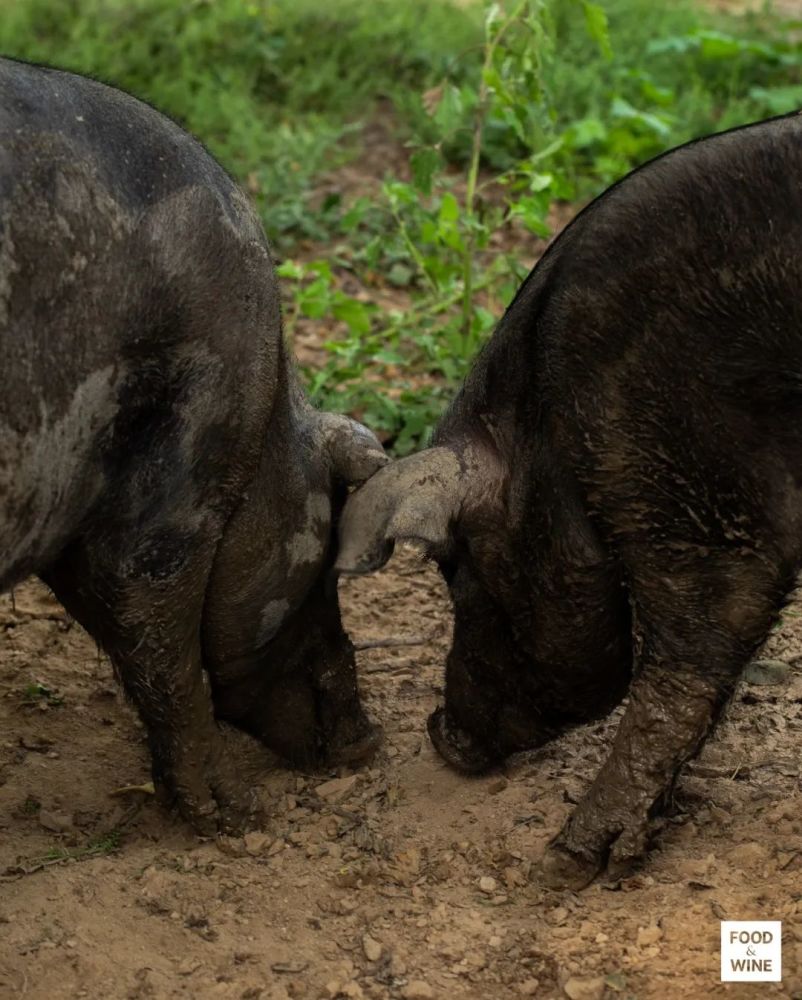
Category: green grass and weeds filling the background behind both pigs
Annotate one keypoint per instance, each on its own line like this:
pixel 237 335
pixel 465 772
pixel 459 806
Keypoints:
pixel 498 111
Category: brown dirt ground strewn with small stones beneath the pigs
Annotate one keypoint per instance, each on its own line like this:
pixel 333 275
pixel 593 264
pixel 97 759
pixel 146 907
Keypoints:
pixel 401 880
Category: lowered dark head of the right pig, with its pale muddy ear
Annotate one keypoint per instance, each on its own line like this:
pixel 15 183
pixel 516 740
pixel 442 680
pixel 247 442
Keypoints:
pixel 525 663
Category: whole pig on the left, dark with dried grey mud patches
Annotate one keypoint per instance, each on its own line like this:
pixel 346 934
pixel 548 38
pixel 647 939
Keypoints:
pixel 160 468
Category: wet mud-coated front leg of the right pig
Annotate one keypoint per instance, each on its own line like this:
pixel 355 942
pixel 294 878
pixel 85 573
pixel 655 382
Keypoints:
pixel 695 632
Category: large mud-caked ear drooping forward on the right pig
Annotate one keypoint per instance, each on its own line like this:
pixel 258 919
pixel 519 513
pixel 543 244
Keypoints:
pixel 416 498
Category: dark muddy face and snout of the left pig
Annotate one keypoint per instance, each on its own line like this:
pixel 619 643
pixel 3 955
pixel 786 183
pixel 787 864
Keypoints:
pixel 302 698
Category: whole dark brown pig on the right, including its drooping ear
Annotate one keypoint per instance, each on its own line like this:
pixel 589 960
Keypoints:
pixel 619 483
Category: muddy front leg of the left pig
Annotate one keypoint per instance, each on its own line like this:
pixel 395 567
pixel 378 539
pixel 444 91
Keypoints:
pixel 147 617
